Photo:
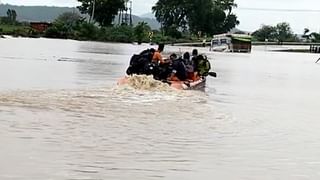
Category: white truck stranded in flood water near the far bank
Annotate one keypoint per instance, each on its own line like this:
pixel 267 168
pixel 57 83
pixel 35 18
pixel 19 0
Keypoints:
pixel 231 43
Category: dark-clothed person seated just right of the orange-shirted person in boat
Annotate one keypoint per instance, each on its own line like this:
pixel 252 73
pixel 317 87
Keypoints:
pixel 178 69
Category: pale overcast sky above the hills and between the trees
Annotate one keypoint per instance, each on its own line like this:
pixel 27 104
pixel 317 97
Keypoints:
pixel 250 19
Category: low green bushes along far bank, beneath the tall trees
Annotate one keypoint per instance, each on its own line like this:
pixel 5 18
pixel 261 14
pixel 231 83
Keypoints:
pixel 71 25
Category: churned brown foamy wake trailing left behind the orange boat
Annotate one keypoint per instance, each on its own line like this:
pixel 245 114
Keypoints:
pixel 141 91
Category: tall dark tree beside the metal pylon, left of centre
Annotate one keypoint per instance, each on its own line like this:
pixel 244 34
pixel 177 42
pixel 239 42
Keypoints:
pixel 105 10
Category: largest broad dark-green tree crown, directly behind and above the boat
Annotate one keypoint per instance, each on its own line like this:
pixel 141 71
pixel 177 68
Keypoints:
pixel 207 16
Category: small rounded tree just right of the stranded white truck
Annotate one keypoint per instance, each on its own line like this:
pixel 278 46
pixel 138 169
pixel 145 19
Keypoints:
pixel 265 32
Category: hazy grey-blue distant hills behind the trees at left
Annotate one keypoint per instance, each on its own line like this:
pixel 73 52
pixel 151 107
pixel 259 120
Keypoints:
pixel 48 14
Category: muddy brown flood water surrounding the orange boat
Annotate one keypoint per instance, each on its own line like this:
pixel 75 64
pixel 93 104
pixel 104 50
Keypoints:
pixel 63 117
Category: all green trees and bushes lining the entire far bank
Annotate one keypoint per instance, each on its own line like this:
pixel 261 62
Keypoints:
pixel 189 21
